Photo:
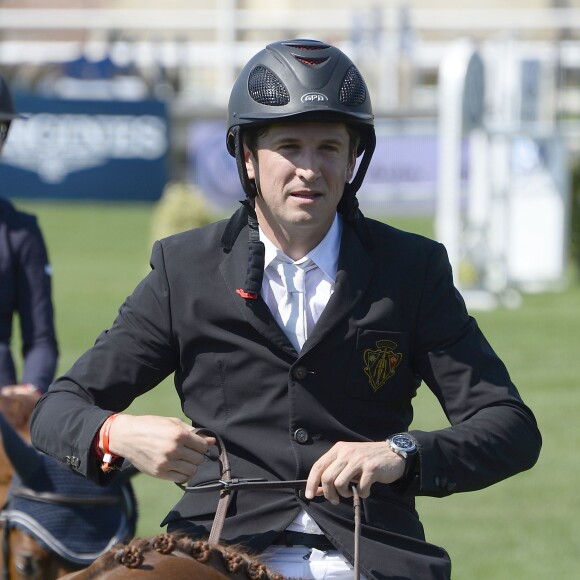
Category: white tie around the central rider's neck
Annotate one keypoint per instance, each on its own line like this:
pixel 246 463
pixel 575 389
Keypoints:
pixel 293 307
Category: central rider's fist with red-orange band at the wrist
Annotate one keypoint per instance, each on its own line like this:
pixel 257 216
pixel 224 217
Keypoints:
pixel 164 447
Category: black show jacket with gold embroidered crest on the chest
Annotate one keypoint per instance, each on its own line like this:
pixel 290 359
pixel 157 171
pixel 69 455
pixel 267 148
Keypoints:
pixel 394 320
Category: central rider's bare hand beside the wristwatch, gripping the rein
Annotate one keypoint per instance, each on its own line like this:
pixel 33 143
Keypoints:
pixel 363 463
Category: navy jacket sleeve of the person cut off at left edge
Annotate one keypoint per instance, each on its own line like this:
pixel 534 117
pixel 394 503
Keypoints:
pixel 34 305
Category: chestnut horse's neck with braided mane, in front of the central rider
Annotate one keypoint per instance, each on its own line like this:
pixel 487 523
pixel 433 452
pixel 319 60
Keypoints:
pixel 177 557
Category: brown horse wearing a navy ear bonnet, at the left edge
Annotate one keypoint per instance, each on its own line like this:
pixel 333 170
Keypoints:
pixel 53 522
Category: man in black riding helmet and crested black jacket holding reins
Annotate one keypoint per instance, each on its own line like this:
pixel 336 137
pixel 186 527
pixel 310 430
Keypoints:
pixel 313 382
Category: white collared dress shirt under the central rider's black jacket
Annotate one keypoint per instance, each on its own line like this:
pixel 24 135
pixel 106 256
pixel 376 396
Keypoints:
pixel 319 288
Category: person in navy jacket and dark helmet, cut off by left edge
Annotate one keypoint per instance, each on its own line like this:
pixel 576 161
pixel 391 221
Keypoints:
pixel 25 289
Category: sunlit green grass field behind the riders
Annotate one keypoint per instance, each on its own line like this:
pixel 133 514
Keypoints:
pixel 527 527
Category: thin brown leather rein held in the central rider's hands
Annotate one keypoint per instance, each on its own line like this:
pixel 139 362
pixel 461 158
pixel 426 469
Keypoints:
pixel 226 484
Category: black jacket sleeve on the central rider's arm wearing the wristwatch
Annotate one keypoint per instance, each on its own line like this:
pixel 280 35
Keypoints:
pixel 492 434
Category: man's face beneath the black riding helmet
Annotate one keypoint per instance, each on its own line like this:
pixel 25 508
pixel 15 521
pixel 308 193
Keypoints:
pixel 300 171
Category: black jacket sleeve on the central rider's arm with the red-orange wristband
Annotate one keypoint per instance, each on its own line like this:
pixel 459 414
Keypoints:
pixel 129 359
